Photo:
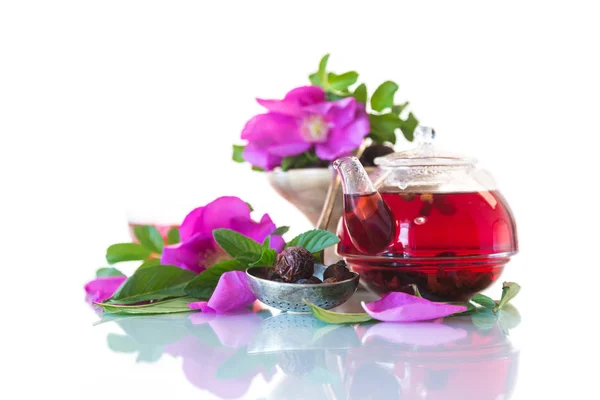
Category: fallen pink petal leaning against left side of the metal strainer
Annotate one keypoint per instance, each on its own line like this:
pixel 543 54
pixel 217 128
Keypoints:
pixel 232 292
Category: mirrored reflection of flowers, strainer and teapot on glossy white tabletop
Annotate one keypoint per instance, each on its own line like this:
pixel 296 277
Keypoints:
pixel 264 354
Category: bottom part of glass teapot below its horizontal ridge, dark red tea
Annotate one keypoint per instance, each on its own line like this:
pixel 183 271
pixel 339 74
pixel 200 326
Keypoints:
pixel 451 279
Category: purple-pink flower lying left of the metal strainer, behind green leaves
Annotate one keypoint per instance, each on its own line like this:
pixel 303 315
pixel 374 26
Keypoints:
pixel 198 250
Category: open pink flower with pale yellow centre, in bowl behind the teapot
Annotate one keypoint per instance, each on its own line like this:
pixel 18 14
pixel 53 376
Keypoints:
pixel 301 120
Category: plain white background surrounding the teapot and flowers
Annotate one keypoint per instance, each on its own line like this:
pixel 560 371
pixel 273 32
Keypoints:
pixel 105 105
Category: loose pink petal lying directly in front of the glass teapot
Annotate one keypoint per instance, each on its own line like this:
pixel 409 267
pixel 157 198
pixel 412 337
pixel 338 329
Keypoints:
pixel 402 307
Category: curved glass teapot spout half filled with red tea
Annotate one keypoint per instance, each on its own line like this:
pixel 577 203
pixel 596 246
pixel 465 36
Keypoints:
pixel 368 219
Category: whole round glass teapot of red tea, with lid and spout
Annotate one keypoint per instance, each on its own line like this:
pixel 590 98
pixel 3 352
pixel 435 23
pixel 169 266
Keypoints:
pixel 425 217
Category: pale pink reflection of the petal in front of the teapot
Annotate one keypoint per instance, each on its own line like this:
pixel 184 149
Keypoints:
pixel 418 333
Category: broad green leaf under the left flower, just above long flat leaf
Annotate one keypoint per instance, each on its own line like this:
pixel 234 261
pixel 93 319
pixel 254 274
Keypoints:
pixel 153 283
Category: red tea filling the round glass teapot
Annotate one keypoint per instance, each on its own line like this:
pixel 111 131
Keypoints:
pixel 440 242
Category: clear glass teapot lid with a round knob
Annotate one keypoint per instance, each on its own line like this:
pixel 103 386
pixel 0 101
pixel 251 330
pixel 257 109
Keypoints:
pixel 424 154
